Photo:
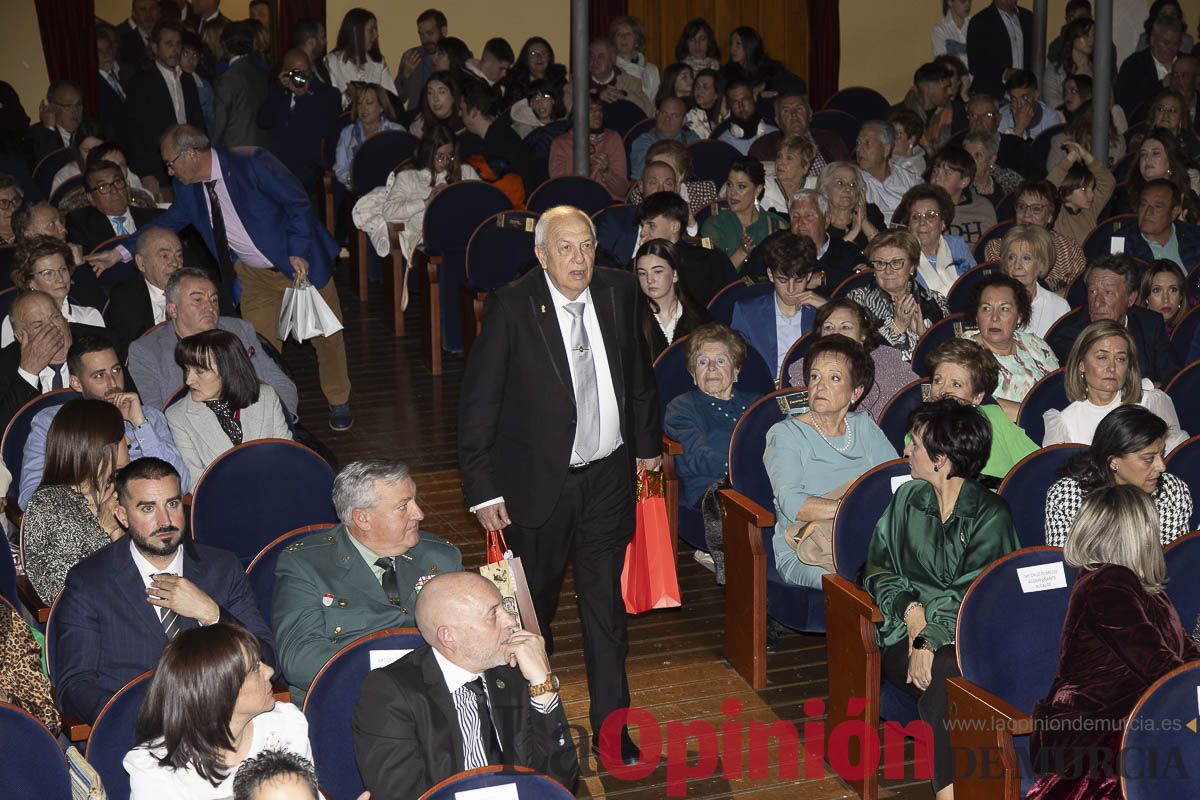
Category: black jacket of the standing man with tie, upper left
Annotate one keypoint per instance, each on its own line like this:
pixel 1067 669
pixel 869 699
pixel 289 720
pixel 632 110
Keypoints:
pixel 151 115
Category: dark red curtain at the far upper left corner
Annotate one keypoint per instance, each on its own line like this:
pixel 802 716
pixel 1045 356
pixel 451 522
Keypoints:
pixel 69 41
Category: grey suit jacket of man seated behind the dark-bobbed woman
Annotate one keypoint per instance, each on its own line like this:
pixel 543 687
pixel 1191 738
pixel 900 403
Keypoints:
pixel 153 364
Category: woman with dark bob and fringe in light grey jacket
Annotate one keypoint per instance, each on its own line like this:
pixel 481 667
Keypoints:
pixel 225 405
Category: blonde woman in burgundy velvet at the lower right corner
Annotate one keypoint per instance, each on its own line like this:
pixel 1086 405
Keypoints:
pixel 1121 635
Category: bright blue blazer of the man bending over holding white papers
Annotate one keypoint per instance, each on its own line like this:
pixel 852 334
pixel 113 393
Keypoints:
pixel 272 204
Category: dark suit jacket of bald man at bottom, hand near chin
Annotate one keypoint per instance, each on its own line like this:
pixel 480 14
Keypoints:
pixel 407 736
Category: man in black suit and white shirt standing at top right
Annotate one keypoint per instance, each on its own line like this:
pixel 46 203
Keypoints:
pixel 999 39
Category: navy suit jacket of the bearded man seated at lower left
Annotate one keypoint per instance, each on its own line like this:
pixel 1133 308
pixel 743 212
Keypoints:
pixel 106 634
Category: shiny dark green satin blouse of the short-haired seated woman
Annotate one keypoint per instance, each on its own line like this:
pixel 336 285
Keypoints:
pixel 915 557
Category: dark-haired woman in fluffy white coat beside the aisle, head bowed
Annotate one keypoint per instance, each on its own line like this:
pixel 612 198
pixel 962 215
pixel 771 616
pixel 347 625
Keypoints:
pixel 409 193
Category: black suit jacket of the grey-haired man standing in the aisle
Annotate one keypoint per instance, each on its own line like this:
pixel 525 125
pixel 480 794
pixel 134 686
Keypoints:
pixel 517 418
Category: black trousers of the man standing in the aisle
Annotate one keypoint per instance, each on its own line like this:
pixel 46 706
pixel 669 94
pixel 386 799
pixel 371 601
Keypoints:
pixel 591 525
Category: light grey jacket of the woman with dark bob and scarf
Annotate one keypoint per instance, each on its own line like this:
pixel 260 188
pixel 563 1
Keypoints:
pixel 201 440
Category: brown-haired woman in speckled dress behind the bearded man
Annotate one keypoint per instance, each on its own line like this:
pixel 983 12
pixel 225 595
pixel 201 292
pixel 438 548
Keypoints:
pixel 71 515
